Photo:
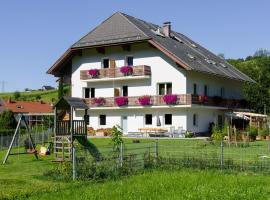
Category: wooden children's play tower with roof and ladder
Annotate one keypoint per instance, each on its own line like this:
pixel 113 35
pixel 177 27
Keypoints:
pixel 67 128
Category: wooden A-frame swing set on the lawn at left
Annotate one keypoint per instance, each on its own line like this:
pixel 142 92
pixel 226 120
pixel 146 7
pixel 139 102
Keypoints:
pixel 29 144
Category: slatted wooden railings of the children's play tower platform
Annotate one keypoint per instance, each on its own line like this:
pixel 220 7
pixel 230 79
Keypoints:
pixel 63 127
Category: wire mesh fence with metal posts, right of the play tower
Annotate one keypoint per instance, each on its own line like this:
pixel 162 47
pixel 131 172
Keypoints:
pixel 203 154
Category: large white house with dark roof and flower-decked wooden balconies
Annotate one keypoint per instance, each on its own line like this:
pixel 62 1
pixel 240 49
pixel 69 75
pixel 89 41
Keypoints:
pixel 186 85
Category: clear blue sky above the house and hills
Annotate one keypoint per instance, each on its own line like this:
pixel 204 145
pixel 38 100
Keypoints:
pixel 34 34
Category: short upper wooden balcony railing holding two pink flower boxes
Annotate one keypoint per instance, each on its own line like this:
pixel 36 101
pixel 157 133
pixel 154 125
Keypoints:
pixel 141 70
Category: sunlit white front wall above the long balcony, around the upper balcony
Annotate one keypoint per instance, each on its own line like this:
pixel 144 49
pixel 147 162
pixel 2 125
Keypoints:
pixel 162 68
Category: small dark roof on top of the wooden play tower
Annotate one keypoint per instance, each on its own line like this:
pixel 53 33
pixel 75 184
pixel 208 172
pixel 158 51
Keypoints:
pixel 72 102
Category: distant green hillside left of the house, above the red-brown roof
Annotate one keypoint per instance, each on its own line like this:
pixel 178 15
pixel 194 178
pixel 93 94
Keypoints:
pixel 29 96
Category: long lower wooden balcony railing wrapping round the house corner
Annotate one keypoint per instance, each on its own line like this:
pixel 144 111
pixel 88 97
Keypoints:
pixel 158 100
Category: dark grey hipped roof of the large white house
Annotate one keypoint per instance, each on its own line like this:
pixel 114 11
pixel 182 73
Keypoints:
pixel 122 28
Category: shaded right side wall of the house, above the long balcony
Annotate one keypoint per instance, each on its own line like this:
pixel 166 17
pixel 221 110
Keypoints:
pixel 232 88
